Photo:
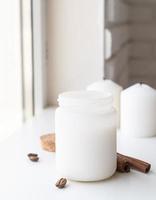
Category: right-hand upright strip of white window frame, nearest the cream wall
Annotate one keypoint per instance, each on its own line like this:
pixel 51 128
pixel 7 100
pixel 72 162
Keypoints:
pixel 39 54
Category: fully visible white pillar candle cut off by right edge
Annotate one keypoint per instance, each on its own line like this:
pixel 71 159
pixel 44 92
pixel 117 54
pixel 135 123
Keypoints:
pixel 138 111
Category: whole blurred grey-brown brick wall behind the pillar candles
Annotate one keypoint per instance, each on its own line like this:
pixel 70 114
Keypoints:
pixel 131 41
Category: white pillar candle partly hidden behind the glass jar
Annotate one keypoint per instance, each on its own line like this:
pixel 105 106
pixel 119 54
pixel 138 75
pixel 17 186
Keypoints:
pixel 109 86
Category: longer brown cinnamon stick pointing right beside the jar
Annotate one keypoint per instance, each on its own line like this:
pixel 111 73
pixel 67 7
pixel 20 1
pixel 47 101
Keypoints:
pixel 135 163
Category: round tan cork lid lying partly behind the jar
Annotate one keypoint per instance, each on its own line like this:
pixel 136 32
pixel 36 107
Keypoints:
pixel 48 142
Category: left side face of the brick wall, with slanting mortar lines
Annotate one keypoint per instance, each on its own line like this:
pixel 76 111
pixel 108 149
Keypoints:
pixel 117 41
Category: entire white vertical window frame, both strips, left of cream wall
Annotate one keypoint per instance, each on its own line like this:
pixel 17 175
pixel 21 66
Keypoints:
pixel 33 50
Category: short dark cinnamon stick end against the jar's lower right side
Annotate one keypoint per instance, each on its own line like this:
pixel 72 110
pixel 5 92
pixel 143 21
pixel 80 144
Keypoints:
pixel 122 165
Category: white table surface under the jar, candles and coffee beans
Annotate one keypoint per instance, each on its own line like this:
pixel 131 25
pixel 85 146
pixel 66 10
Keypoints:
pixel 21 179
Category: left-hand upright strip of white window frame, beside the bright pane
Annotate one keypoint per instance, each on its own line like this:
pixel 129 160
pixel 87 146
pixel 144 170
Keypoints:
pixel 27 59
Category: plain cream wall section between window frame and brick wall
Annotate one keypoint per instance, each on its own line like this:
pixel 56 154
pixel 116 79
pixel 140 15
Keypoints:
pixel 75 47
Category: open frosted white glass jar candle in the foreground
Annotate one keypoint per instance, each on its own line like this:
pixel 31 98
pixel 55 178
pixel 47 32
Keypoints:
pixel 85 126
